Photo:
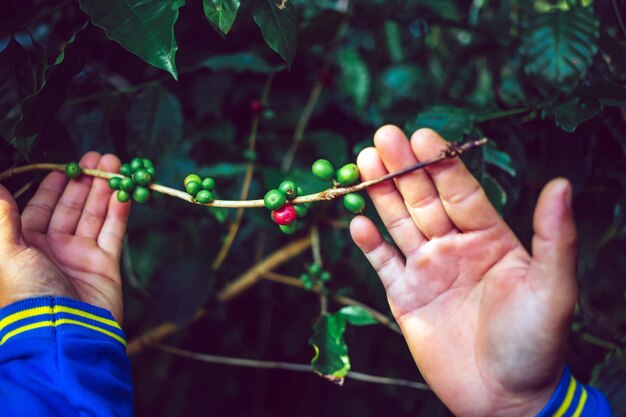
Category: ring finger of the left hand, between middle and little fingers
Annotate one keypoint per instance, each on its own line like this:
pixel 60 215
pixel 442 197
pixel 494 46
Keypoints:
pixel 95 211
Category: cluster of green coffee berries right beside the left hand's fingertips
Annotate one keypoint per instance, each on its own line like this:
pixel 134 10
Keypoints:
pixel 137 176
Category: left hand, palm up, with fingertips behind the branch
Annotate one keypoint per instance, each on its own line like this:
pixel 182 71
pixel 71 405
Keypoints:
pixel 68 241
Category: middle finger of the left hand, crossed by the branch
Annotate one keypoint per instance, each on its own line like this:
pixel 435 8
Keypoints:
pixel 70 206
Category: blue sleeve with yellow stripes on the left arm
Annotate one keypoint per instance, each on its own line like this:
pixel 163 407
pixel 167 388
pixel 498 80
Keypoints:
pixel 62 358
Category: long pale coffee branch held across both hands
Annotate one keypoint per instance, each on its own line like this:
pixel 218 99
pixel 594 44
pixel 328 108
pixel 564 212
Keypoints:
pixel 451 152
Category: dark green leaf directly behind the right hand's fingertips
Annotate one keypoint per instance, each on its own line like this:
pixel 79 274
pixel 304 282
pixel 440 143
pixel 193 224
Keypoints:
pixel 452 123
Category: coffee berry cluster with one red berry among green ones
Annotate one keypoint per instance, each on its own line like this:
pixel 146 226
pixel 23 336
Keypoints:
pixel 283 212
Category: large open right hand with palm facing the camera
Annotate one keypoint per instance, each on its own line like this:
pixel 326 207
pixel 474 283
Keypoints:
pixel 486 321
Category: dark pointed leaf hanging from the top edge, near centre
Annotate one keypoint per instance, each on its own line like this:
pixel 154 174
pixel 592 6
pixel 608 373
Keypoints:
pixel 278 22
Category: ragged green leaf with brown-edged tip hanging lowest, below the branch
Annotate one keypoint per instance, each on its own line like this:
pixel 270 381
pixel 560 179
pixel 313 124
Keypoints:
pixel 331 352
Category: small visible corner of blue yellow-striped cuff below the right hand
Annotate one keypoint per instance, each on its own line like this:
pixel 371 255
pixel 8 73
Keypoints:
pixel 573 399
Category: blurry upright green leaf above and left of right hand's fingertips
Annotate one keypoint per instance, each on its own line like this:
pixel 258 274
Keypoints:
pixel 354 80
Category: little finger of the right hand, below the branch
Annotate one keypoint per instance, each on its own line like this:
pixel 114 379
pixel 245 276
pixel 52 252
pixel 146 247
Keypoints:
pixel 383 257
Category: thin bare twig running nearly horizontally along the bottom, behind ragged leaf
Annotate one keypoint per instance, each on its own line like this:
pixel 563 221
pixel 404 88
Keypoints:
pixel 286 366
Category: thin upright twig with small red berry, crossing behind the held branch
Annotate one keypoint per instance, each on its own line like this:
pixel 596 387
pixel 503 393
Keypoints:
pixel 245 189
